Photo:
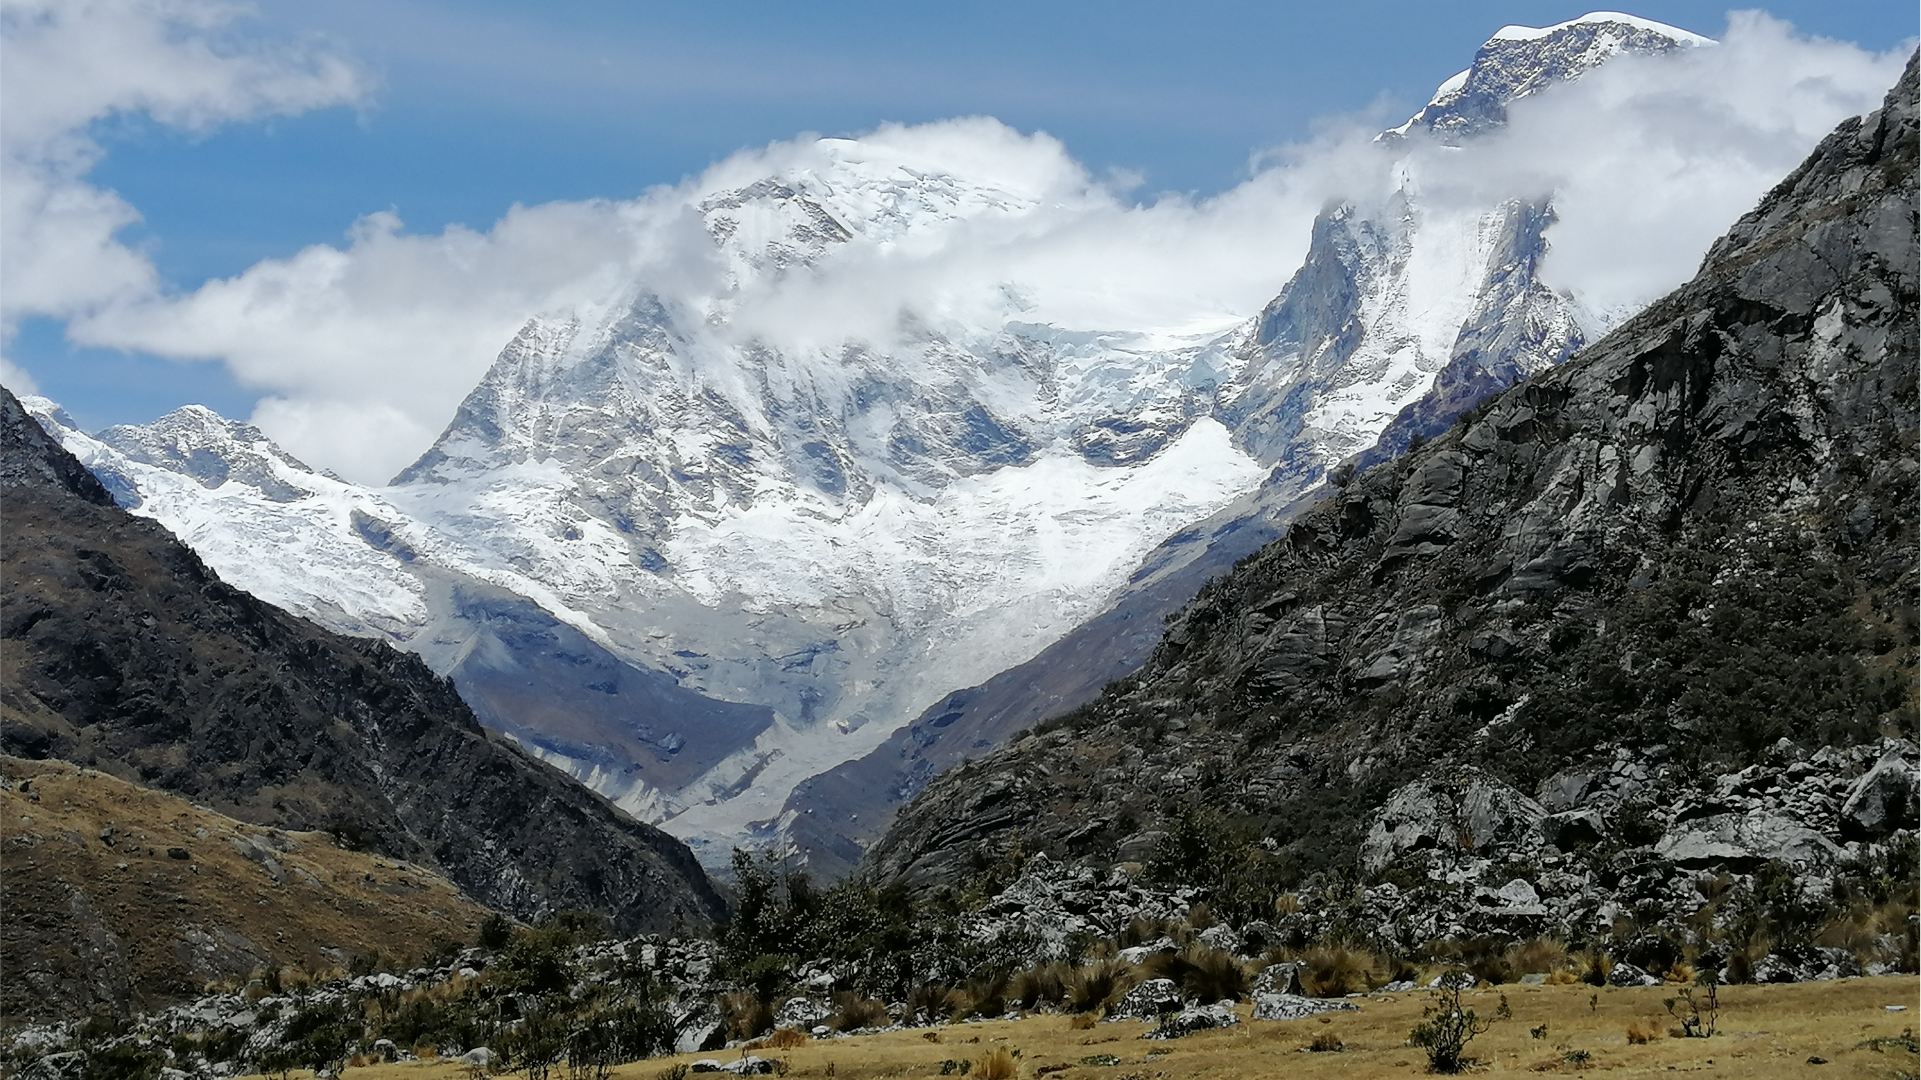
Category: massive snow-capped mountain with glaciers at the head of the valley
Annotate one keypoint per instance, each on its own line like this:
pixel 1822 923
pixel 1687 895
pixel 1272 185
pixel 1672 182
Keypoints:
pixel 696 556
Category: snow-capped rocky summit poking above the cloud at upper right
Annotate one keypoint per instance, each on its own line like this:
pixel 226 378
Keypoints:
pixel 1519 62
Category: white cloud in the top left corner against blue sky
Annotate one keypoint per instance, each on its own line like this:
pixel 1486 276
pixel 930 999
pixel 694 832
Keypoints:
pixel 66 64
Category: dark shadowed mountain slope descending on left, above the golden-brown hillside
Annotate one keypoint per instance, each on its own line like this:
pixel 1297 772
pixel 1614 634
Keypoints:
pixel 122 650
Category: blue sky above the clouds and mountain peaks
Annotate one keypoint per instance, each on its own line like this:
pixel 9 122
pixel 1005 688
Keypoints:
pixel 483 105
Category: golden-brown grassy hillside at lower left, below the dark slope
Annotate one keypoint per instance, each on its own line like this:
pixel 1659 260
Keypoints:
pixel 126 898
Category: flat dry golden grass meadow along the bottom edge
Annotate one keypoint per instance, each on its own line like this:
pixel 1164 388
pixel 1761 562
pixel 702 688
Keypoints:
pixel 1766 1033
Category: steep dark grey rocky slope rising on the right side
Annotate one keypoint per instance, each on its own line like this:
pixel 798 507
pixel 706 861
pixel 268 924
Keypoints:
pixel 1690 543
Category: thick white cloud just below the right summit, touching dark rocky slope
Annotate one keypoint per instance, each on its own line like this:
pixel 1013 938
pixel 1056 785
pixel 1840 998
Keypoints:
pixel 1653 159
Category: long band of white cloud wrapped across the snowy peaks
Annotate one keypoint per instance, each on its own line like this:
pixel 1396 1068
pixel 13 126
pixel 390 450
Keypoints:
pixel 366 349
